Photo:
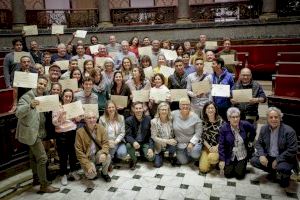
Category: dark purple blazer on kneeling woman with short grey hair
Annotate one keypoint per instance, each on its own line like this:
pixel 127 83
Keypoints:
pixel 226 139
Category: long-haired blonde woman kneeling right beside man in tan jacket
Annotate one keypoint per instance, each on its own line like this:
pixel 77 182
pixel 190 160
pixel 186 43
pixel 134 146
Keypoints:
pixel 115 128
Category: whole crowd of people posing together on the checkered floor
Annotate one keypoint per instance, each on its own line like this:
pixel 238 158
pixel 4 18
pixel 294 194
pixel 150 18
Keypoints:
pixel 212 131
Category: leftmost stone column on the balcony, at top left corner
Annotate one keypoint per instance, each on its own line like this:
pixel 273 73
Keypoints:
pixel 18 12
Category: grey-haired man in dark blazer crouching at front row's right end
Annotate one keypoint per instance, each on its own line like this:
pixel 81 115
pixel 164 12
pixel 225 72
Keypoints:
pixel 276 148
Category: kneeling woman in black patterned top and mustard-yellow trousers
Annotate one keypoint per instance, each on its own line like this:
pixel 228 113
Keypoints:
pixel 210 137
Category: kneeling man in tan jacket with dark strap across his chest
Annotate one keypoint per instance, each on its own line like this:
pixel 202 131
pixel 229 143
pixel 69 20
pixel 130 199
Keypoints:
pixel 92 148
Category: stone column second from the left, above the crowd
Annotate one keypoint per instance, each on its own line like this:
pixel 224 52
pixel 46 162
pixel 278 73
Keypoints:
pixel 104 13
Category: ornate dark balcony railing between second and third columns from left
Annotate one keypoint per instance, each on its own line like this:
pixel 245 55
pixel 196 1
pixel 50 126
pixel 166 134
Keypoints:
pixel 140 16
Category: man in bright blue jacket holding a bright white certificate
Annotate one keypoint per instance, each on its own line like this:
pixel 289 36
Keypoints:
pixel 223 77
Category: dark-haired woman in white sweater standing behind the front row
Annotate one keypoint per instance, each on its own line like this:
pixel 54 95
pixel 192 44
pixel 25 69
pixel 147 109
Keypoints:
pixel 158 93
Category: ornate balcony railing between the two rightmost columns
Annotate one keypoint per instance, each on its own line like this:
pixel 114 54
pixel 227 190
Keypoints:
pixel 230 11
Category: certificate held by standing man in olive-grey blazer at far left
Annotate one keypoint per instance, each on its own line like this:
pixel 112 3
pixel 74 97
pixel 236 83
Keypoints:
pixel 47 103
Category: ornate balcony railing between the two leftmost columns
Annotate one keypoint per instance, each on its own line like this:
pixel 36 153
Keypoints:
pixel 71 17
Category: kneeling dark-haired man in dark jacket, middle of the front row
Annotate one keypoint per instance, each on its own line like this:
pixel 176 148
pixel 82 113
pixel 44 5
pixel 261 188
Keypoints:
pixel 138 135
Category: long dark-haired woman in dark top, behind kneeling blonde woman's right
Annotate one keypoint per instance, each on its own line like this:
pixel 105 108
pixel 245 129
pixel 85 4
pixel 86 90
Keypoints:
pixel 120 88
